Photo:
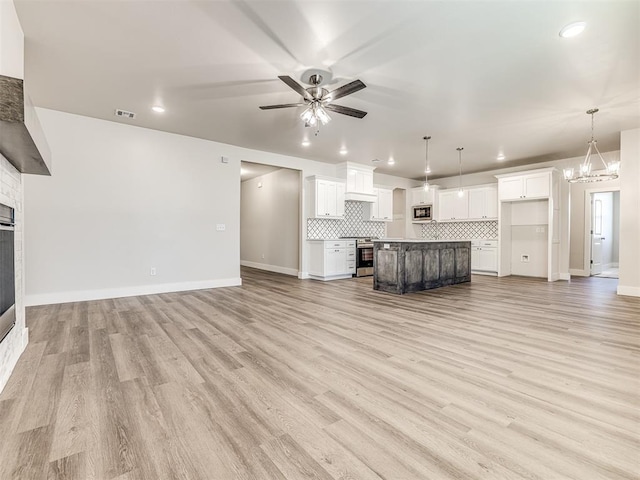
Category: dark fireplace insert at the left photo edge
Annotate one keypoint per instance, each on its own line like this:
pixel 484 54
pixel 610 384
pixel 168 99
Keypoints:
pixel 7 271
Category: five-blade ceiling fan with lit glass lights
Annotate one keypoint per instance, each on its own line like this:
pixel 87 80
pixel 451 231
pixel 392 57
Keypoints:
pixel 318 100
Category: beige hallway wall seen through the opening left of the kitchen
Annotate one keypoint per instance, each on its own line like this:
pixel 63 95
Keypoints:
pixel 270 222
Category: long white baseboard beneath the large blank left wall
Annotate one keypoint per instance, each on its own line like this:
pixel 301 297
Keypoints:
pixel 85 295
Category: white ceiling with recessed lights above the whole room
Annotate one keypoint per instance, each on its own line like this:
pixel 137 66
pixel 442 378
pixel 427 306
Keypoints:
pixel 490 76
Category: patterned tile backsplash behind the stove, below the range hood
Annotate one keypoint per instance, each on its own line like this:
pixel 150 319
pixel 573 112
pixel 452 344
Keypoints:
pixel 353 225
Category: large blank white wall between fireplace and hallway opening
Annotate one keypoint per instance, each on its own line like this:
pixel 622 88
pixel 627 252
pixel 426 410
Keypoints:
pixel 124 200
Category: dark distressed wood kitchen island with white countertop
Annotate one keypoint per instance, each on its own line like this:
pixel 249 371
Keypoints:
pixel 404 266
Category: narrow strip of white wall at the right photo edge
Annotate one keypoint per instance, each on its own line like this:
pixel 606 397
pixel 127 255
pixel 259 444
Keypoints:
pixel 629 281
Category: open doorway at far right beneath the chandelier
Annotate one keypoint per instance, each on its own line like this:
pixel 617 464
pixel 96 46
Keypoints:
pixel 604 234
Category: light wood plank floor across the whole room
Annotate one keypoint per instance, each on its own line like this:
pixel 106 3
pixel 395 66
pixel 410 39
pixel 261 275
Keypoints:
pixel 510 378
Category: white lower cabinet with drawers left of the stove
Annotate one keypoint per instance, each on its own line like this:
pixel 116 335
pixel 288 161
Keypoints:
pixel 332 259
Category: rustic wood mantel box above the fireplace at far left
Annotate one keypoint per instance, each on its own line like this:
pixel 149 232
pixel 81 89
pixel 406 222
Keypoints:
pixel 22 140
